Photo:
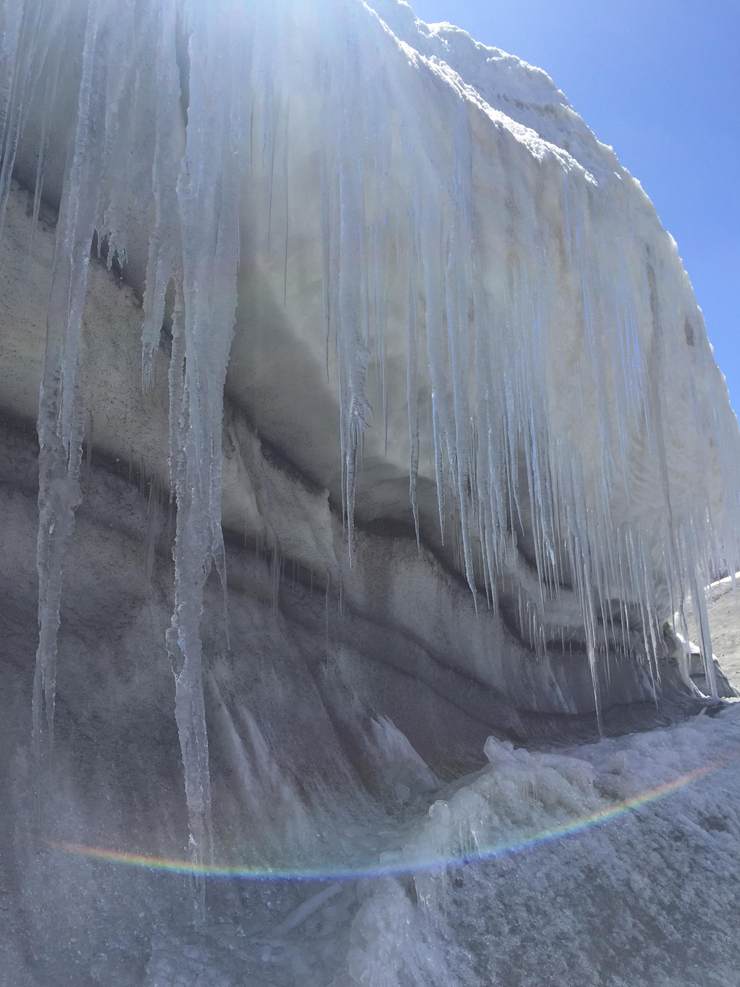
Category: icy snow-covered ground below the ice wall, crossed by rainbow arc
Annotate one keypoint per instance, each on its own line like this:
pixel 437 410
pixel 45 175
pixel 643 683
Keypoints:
pixel 608 864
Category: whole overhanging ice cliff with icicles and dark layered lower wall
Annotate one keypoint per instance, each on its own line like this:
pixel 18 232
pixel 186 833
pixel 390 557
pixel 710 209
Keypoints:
pixel 374 410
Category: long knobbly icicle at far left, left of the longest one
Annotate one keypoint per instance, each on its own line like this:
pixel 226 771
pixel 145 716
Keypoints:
pixel 61 417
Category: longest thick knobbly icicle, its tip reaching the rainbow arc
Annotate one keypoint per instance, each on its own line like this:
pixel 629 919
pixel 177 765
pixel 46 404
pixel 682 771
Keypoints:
pixel 207 193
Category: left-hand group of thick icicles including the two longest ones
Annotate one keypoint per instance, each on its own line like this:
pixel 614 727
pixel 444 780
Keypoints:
pixel 129 70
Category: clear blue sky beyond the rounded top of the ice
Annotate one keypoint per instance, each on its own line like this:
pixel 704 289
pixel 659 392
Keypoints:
pixel 659 80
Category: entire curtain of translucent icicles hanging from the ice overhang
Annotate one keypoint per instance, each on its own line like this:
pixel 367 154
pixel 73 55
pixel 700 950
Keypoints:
pixel 486 365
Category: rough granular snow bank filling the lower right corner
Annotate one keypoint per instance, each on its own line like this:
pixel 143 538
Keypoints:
pixel 538 913
